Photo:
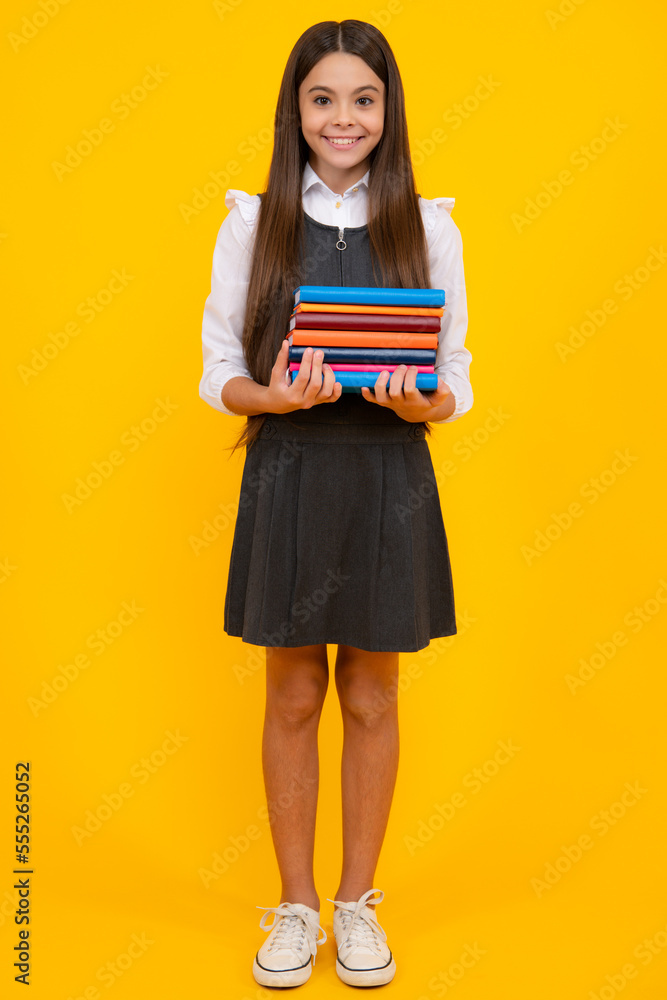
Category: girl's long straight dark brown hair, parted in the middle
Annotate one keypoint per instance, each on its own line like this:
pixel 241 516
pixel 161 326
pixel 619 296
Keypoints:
pixel 395 227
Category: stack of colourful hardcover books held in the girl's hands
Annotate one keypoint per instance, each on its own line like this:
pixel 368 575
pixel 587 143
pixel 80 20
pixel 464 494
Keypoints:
pixel 364 331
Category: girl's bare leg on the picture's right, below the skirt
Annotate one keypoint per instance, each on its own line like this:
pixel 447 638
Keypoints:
pixel 367 685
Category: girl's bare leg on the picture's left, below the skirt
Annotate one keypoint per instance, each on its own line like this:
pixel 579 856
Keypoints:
pixel 296 684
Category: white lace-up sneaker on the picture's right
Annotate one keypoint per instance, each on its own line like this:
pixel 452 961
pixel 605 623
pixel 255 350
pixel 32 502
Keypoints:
pixel 364 959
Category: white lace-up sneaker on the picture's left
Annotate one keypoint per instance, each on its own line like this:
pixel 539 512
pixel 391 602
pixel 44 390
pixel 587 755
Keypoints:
pixel 285 957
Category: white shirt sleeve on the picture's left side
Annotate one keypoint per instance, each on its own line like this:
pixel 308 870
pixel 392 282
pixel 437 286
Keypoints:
pixel 224 310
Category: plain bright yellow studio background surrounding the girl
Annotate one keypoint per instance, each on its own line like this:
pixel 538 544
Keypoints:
pixel 529 620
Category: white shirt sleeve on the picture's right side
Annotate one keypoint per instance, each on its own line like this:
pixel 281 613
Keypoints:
pixel 452 359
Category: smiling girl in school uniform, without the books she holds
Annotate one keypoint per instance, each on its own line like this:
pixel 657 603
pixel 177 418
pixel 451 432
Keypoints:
pixel 339 536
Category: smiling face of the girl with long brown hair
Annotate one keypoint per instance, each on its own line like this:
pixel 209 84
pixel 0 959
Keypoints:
pixel 341 98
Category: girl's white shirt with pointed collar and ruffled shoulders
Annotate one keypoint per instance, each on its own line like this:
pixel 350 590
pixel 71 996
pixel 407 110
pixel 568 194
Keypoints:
pixel 224 310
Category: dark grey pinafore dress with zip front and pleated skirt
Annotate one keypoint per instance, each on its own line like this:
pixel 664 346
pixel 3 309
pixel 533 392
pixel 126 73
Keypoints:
pixel 339 535
